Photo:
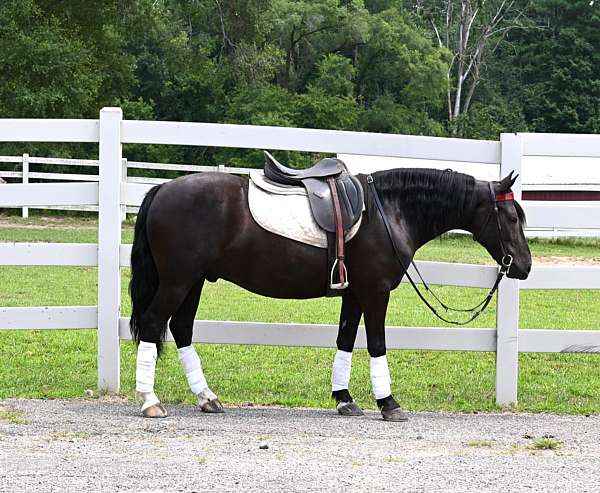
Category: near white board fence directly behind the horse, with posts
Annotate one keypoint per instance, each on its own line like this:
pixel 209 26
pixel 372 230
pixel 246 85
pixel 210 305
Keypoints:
pixel 111 192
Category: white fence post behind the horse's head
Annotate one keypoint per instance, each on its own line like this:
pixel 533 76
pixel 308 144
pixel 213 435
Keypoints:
pixel 507 314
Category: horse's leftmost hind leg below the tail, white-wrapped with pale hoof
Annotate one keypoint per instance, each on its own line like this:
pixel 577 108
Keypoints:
pixel 164 304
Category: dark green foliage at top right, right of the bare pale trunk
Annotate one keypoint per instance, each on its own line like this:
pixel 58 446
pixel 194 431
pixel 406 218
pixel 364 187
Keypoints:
pixel 545 77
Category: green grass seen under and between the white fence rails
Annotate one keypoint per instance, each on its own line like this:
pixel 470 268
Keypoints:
pixel 53 364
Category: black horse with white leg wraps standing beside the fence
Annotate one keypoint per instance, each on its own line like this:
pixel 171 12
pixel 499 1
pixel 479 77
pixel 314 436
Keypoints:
pixel 199 227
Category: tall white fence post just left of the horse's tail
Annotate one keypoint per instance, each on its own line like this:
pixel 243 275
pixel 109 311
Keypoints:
pixel 109 240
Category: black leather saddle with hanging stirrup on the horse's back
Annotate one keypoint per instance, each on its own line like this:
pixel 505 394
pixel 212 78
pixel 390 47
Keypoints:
pixel 336 201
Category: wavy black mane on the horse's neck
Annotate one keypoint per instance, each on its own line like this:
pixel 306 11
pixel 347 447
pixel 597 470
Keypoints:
pixel 436 198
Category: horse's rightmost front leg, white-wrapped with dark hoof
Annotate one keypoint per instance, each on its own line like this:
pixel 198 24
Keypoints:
pixel 375 309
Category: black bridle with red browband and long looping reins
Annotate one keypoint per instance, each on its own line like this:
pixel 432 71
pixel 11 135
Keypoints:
pixel 505 262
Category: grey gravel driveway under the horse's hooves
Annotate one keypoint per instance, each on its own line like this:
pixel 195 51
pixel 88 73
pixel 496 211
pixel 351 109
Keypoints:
pixel 103 445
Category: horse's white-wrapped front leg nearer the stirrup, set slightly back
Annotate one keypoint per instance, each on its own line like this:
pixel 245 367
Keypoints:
pixel 342 364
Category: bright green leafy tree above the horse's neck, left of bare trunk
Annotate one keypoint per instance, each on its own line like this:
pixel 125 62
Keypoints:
pixel 401 74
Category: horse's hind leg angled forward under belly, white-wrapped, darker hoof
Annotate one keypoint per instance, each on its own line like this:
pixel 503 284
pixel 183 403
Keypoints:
pixel 182 326
